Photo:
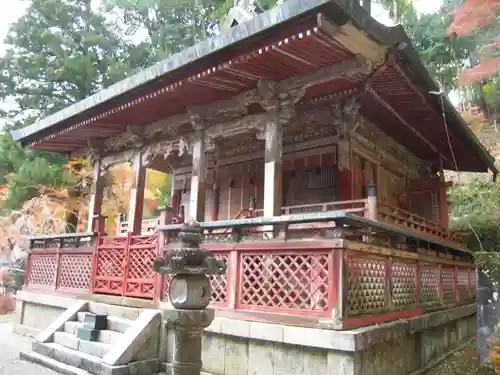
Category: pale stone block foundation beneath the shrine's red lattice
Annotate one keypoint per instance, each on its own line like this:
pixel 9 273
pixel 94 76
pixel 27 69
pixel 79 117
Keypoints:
pixel 234 346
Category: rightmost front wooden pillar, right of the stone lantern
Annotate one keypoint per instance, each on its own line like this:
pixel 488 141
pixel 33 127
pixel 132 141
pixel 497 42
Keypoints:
pixel 273 167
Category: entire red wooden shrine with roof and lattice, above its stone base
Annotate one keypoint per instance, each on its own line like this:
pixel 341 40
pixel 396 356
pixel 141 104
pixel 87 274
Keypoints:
pixel 310 145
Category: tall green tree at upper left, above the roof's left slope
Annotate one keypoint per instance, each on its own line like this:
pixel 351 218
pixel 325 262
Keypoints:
pixel 61 52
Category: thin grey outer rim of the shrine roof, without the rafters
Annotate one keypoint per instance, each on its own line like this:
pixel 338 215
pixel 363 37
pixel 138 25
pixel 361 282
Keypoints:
pixel 390 36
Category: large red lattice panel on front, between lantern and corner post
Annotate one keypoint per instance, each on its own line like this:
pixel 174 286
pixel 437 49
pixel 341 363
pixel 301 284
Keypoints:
pixel 286 281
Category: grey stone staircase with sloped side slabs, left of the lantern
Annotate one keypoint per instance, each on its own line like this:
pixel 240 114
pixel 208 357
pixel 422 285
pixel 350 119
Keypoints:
pixel 100 339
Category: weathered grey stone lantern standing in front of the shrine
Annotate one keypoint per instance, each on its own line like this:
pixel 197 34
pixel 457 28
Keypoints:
pixel 189 292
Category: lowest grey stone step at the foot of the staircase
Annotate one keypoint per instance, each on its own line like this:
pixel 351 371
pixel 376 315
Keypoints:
pixel 93 364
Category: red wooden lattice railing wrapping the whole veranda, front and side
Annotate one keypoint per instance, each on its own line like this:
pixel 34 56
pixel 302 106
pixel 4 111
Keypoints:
pixel 355 274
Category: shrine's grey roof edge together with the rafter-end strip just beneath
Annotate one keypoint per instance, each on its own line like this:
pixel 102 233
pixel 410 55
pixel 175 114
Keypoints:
pixel 269 25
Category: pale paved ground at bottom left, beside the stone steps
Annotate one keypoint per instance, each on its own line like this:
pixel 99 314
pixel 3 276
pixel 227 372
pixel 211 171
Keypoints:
pixel 10 346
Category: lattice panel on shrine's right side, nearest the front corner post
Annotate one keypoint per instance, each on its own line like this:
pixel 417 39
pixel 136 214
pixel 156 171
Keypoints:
pixel 366 287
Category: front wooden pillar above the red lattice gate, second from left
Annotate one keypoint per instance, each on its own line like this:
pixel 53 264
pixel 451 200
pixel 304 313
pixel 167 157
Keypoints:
pixel 136 195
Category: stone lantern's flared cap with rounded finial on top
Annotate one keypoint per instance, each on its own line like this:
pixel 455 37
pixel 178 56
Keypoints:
pixel 189 258
